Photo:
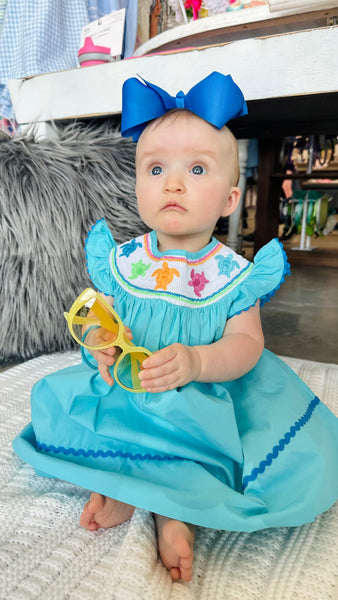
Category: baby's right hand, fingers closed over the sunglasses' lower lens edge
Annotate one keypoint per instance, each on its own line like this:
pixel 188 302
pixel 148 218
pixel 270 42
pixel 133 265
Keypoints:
pixel 170 368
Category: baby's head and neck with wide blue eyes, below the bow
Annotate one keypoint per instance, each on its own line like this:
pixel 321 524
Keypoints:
pixel 184 175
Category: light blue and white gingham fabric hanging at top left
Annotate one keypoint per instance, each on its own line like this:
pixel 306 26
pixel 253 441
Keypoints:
pixel 41 36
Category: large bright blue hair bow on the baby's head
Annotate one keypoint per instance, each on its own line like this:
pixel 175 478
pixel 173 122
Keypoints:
pixel 217 99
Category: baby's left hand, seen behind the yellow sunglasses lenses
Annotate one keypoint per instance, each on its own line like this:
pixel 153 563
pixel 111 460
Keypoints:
pixel 107 357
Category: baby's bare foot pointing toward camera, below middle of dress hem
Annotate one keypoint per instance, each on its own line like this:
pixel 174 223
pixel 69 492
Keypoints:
pixel 175 545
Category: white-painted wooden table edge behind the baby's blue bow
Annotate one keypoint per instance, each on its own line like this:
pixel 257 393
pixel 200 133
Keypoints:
pixel 282 66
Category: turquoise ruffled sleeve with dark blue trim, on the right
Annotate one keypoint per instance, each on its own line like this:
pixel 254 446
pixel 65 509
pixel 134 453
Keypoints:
pixel 269 272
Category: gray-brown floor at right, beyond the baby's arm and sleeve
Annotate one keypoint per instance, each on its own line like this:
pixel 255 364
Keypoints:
pixel 301 320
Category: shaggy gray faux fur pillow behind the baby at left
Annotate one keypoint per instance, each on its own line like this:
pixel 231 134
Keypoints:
pixel 51 192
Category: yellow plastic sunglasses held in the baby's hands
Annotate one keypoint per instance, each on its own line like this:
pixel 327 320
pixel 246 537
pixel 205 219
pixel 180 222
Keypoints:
pixel 92 310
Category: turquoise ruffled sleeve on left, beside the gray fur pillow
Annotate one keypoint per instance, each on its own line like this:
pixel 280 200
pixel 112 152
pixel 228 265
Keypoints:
pixel 99 245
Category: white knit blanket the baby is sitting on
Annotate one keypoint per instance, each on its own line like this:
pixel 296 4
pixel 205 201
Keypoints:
pixel 44 553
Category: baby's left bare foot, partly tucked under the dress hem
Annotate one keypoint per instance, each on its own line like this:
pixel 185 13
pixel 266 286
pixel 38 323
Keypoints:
pixel 101 511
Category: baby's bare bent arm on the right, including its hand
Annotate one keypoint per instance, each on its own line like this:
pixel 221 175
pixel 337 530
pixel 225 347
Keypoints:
pixel 233 355
